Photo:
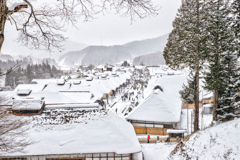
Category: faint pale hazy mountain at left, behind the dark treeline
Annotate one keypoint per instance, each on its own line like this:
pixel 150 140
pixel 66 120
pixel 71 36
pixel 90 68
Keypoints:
pixel 14 50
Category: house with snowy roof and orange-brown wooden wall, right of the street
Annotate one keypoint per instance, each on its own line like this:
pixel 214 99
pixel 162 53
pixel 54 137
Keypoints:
pixel 160 110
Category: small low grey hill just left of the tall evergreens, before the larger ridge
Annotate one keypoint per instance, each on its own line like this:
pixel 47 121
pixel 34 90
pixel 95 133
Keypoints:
pixel 150 59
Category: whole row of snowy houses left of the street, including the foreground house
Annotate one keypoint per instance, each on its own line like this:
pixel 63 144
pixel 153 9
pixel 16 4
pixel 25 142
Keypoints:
pixel 67 122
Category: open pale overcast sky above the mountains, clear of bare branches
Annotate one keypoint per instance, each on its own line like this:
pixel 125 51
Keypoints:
pixel 112 29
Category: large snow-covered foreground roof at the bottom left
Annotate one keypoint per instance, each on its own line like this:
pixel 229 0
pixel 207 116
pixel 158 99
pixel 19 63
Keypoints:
pixel 95 132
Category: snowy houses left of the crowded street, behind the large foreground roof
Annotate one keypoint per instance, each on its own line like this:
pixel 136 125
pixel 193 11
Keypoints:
pixel 62 94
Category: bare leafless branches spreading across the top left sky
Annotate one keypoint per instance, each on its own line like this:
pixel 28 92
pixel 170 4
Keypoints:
pixel 40 24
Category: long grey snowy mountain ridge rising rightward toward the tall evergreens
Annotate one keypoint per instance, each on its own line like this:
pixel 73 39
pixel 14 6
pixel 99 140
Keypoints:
pixel 113 54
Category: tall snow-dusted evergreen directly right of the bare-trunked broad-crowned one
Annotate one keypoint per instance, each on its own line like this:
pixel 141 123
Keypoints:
pixel 220 40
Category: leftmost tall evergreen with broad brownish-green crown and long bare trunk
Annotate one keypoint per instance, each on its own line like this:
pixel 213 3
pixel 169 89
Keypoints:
pixel 186 44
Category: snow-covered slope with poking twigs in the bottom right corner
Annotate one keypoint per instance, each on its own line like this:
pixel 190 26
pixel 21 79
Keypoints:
pixel 218 142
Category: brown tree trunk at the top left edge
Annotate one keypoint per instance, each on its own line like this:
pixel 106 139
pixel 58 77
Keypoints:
pixel 3 18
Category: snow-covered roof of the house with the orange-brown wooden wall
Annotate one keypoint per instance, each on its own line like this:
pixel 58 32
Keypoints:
pixel 161 106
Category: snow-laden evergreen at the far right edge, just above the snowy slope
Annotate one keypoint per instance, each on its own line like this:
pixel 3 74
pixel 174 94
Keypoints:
pixel 228 95
